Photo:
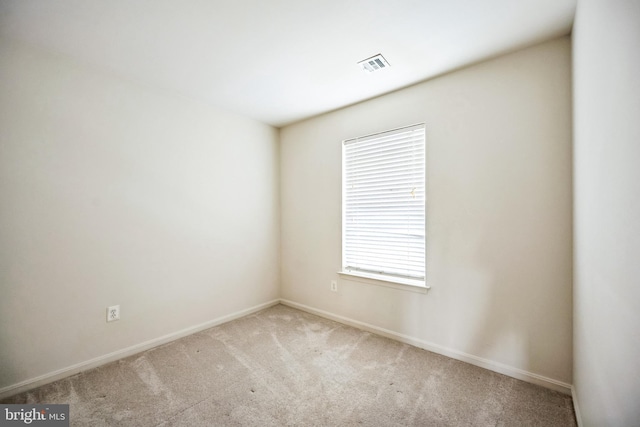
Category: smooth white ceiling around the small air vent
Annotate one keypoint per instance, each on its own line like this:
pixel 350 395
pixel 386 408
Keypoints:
pixel 279 61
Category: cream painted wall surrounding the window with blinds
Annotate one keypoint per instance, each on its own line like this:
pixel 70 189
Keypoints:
pixel 499 211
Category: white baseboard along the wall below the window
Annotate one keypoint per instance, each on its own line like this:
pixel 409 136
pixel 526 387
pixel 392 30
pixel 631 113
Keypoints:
pixel 435 348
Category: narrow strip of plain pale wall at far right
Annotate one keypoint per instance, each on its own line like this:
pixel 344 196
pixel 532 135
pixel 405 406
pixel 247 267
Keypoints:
pixel 606 58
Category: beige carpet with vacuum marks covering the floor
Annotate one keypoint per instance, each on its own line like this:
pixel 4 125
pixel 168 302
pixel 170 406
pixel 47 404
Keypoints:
pixel 284 367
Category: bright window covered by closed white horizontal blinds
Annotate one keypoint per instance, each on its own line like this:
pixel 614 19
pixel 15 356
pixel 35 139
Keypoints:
pixel 383 224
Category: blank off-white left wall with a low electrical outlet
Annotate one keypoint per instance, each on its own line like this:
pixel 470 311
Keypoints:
pixel 115 193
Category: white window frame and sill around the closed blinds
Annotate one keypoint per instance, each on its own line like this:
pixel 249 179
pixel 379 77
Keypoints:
pixel 383 279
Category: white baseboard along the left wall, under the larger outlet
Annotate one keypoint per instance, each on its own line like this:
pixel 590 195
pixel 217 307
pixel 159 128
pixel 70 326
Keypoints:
pixel 129 351
